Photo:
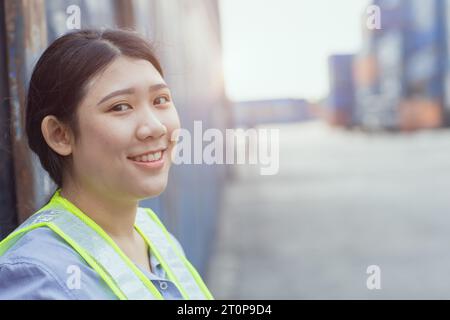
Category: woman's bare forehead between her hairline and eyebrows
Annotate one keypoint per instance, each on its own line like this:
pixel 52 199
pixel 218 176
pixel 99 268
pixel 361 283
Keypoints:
pixel 123 73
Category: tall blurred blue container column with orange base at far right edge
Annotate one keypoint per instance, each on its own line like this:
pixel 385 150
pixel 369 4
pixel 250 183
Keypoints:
pixel 422 106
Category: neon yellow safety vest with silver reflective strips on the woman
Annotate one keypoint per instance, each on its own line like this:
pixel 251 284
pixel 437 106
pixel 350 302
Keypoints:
pixel 99 250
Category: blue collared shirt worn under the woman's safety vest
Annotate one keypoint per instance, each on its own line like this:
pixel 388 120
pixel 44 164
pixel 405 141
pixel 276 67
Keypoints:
pixel 41 265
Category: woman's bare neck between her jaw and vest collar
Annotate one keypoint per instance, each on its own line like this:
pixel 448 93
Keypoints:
pixel 115 216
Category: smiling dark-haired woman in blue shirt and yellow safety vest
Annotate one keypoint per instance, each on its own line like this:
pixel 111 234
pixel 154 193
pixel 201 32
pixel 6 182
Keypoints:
pixel 100 118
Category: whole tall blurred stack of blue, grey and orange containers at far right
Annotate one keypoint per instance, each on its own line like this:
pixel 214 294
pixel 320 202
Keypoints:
pixel 401 77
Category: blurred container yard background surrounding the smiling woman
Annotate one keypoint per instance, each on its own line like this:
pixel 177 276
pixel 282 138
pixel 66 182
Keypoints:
pixel 360 91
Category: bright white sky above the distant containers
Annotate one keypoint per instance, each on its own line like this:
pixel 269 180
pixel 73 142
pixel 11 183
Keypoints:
pixel 279 48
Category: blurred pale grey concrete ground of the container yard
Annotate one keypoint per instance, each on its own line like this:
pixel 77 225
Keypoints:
pixel 342 201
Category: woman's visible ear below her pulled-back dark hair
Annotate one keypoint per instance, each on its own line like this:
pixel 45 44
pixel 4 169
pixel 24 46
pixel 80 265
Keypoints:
pixel 57 135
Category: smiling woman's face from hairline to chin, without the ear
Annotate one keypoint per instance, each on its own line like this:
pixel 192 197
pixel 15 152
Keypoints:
pixel 127 111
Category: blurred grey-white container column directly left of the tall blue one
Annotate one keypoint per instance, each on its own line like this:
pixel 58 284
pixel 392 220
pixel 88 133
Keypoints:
pixel 379 69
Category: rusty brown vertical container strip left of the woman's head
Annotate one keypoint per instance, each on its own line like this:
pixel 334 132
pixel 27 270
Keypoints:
pixel 26 36
